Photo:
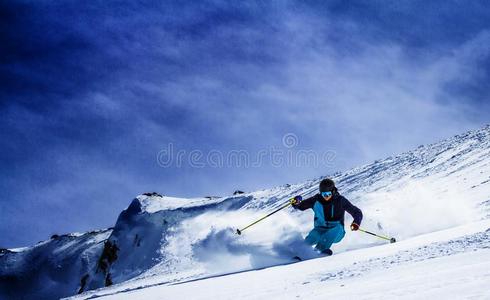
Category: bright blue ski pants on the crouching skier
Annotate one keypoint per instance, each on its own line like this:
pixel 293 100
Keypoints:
pixel 324 237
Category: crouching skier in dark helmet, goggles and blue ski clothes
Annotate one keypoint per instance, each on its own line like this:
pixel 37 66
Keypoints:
pixel 329 208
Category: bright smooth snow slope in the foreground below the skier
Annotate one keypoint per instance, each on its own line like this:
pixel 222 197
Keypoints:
pixel 453 264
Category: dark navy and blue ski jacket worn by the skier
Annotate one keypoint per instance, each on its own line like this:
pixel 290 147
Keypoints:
pixel 330 211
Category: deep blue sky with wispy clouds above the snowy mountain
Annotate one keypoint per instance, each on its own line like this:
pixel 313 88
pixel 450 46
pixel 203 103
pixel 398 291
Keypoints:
pixel 92 91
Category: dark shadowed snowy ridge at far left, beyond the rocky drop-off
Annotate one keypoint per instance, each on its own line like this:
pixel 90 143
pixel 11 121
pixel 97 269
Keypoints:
pixel 56 263
